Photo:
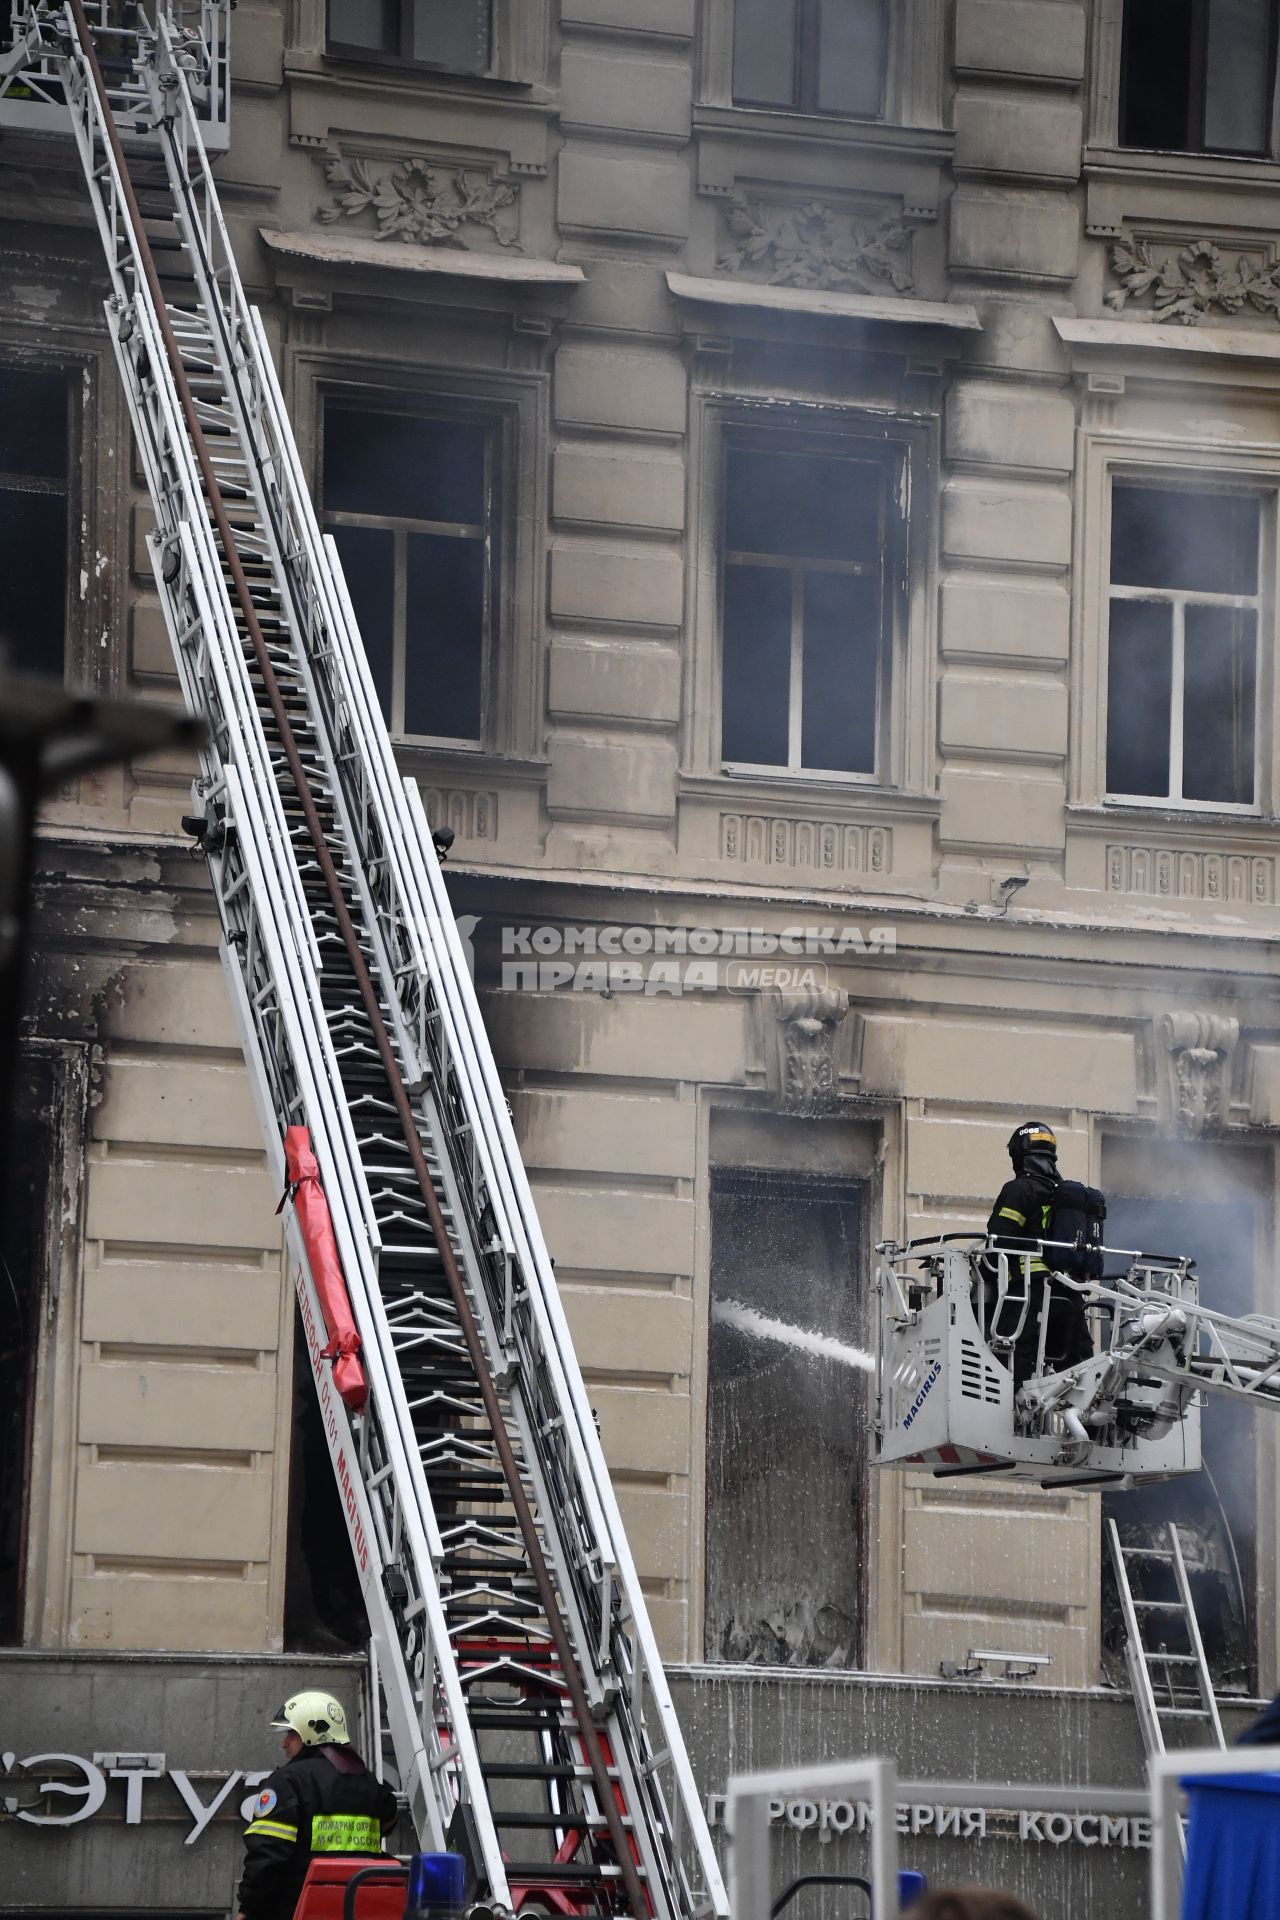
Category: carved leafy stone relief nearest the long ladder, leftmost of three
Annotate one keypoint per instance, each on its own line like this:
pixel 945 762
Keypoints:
pixel 423 203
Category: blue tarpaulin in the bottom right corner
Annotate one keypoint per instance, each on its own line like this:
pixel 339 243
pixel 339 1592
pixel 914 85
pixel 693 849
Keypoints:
pixel 1233 1848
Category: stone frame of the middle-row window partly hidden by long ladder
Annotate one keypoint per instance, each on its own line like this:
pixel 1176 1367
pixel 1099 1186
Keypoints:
pixel 519 404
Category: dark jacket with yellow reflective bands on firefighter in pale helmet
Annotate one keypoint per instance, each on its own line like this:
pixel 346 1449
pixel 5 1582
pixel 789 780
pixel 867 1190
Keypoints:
pixel 321 1802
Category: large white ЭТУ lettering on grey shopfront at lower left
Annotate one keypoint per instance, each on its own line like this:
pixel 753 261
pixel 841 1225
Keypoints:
pixel 36 1787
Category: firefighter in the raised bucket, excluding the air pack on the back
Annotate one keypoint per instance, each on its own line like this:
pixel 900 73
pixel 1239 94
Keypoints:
pixel 1020 1218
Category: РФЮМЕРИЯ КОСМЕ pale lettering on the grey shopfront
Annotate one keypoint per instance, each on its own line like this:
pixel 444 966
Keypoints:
pixel 949 1821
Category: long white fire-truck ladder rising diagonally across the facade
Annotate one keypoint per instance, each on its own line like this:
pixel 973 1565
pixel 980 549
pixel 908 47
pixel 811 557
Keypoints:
pixel 523 1689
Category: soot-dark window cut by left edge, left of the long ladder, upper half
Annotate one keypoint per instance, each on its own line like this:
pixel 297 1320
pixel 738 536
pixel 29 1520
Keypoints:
pixel 34 519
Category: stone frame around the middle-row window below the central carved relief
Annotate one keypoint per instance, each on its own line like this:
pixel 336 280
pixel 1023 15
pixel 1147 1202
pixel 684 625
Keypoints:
pixel 909 736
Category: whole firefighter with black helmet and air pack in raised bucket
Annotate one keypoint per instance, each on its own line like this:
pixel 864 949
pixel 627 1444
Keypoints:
pixel 1035 1207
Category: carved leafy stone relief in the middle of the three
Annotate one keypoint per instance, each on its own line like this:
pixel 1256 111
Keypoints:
pixel 818 247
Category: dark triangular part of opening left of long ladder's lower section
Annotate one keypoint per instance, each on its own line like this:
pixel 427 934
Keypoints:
pixel 323 1602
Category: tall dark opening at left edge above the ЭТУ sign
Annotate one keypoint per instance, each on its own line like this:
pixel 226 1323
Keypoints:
pixel 28 1249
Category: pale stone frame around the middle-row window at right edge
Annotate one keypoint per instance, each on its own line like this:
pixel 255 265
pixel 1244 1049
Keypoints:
pixel 1108 456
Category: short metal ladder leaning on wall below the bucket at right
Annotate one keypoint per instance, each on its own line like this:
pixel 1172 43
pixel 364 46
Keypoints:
pixel 1168 1685
